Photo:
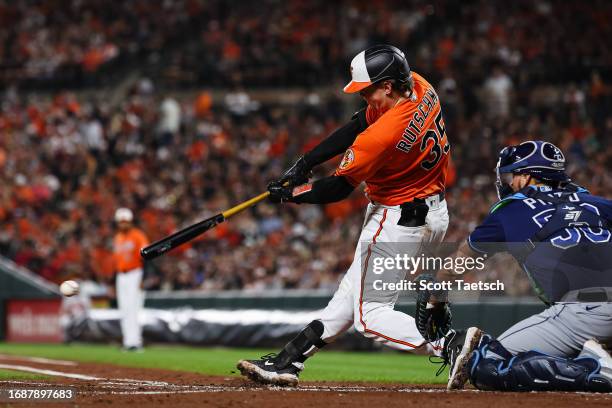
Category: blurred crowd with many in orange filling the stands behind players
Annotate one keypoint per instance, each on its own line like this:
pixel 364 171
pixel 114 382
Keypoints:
pixel 67 162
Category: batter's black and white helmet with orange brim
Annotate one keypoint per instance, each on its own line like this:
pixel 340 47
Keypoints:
pixel 376 64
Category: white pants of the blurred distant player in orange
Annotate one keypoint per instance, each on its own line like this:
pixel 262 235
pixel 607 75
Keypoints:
pixel 130 300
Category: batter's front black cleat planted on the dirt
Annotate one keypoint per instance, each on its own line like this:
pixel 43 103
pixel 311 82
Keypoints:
pixel 266 371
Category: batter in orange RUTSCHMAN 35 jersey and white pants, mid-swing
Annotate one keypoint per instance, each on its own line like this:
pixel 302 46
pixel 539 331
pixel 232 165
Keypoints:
pixel 398 146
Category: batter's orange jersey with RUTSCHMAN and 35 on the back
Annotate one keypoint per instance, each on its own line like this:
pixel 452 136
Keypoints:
pixel 404 152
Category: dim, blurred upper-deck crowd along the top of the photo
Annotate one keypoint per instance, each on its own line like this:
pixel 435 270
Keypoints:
pixel 295 42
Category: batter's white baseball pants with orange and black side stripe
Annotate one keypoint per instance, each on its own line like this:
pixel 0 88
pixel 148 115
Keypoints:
pixel 373 316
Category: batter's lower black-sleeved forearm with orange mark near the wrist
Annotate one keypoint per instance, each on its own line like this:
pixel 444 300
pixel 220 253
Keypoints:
pixel 326 190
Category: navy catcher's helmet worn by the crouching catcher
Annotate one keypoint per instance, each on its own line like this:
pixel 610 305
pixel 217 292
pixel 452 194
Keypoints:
pixel 542 160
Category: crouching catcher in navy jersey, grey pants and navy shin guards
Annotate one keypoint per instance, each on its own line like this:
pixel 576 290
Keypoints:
pixel 561 236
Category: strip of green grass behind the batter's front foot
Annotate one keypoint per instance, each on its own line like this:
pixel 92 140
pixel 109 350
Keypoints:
pixel 325 366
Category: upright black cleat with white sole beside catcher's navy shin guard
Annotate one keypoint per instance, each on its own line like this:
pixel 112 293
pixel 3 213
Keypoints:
pixel 458 348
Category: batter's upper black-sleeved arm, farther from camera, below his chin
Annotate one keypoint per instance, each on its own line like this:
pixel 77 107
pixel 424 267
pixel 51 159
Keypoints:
pixel 336 143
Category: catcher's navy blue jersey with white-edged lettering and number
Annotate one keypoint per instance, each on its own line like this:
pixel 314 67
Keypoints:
pixel 576 251
